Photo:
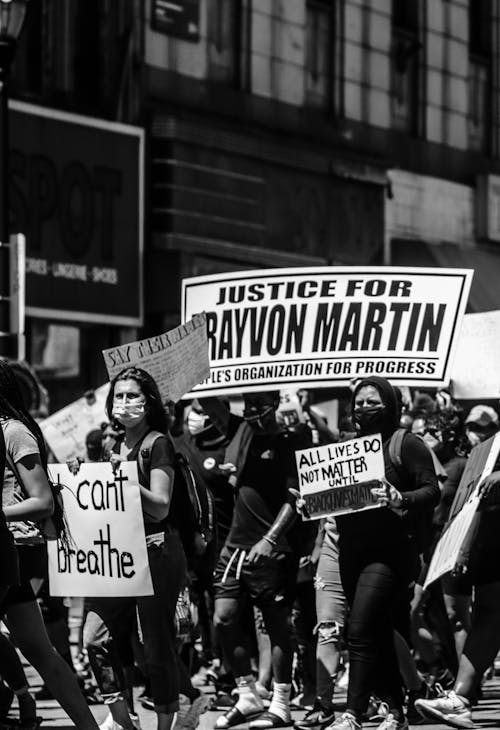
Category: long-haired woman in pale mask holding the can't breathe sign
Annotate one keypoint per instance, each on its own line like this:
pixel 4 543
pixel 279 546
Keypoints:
pixel 134 401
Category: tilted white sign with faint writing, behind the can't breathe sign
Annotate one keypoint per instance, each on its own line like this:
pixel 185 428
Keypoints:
pixel 65 430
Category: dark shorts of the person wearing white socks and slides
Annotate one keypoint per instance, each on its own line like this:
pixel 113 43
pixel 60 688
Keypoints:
pixel 270 581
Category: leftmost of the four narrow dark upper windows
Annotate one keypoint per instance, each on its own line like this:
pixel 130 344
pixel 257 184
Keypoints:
pixel 224 41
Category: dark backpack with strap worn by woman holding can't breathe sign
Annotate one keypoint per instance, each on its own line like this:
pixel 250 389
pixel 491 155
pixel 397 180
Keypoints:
pixel 190 500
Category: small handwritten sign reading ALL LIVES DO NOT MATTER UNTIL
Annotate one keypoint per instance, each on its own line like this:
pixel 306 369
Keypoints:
pixel 337 478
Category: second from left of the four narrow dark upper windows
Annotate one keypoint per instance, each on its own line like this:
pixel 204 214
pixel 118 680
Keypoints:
pixel 319 56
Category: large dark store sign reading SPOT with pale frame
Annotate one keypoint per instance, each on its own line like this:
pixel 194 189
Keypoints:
pixel 77 194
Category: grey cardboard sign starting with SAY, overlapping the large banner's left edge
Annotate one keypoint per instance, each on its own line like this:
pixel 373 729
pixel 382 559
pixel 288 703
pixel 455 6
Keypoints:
pixel 177 360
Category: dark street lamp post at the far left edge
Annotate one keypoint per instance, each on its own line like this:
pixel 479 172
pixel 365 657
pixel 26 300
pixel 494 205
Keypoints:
pixel 12 14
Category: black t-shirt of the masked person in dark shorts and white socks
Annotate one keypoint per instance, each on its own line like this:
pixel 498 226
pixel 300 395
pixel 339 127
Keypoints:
pixel 269 470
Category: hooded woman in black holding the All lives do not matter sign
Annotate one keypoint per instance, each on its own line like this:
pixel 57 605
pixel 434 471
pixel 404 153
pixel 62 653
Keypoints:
pixel 379 556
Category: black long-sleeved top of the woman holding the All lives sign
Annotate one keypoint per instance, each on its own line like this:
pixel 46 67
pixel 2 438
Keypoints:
pixel 417 482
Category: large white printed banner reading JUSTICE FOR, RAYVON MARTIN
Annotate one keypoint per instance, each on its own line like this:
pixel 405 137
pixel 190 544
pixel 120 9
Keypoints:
pixel 324 326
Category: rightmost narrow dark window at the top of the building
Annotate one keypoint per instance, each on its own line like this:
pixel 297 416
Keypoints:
pixel 480 62
